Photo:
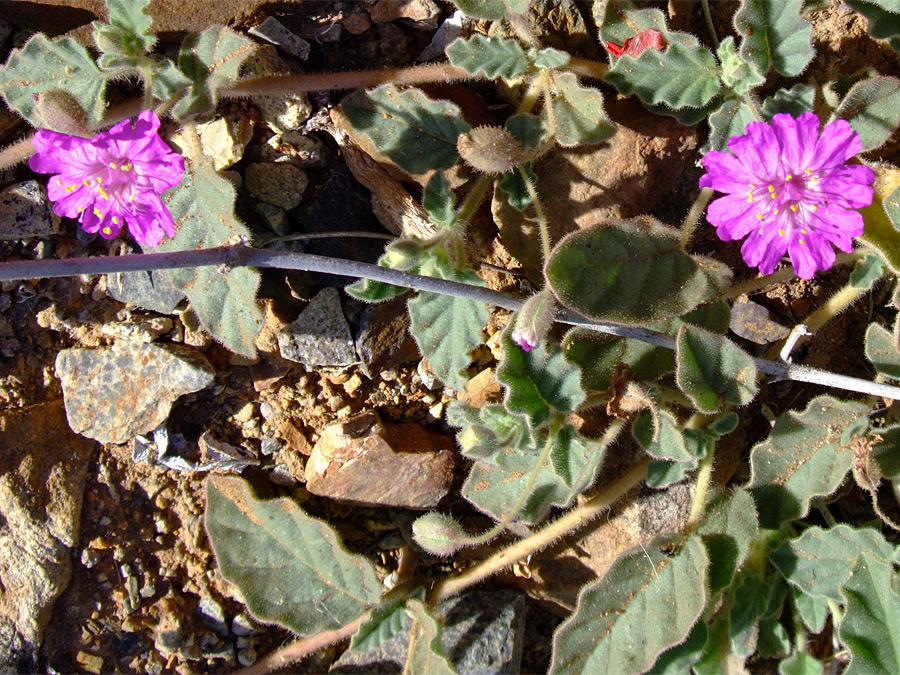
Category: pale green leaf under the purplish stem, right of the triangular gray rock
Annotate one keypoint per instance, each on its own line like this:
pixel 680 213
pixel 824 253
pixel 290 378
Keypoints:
pixel 447 328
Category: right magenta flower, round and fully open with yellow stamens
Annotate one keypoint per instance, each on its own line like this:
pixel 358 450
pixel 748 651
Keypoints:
pixel 789 190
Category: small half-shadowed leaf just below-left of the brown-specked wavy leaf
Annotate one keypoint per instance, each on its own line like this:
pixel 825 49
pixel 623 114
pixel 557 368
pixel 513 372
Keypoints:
pixel 728 529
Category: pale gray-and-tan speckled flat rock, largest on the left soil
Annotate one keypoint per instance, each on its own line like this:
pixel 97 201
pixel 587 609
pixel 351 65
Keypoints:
pixel 114 393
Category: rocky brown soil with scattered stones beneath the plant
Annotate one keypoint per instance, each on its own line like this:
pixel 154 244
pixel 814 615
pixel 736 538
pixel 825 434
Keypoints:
pixel 104 559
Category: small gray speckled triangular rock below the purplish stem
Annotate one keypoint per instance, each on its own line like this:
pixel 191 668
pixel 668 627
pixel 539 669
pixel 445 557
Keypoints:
pixel 320 336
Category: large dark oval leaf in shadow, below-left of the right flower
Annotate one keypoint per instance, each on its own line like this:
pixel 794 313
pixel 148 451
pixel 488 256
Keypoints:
pixel 631 271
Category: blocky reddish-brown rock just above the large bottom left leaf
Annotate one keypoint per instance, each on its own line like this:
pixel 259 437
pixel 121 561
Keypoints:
pixel 364 461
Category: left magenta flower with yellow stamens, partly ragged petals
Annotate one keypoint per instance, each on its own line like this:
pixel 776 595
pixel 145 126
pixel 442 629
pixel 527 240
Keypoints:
pixel 114 178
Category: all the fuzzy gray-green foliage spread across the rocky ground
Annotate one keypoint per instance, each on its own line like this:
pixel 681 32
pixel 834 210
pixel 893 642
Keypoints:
pixel 748 576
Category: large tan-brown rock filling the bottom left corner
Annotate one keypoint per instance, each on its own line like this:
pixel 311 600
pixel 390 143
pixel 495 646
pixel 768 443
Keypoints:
pixel 43 468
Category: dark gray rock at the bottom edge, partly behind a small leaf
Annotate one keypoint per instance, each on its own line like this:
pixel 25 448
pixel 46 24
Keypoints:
pixel 482 635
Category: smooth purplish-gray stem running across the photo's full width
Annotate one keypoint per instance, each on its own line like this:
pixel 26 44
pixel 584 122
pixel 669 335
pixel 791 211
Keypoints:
pixel 242 256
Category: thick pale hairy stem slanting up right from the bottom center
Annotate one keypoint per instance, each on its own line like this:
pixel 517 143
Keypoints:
pixel 550 534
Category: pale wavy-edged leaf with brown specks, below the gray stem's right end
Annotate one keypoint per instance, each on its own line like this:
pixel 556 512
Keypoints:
pixel 803 457
